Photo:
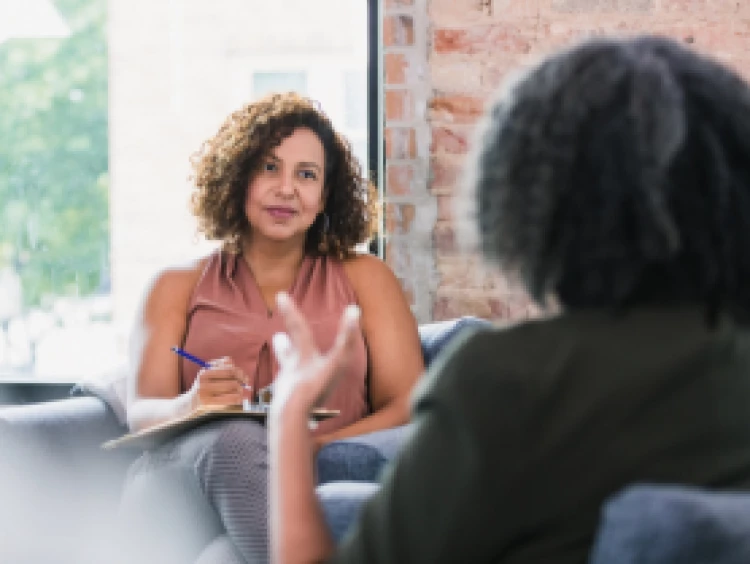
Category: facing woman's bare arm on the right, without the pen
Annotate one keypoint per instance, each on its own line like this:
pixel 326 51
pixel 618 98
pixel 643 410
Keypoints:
pixel 393 348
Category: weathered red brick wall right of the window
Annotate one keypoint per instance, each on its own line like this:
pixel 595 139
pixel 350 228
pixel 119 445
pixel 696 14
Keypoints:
pixel 443 61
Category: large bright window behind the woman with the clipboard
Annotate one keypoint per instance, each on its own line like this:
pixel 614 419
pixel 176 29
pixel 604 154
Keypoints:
pixel 99 114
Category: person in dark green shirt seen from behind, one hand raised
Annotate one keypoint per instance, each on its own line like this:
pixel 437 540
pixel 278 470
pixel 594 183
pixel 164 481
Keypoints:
pixel 613 181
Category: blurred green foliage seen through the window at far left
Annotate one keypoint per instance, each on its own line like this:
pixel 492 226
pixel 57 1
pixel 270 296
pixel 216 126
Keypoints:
pixel 54 218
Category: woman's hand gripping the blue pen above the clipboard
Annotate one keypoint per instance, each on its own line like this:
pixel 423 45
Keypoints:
pixel 220 384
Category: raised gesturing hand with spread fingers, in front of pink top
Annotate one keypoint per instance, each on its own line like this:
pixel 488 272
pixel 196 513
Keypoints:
pixel 306 376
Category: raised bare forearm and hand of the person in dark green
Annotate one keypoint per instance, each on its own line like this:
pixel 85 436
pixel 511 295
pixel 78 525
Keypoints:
pixel 298 530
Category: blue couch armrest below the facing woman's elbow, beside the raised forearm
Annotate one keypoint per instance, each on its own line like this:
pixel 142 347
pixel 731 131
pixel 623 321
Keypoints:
pixel 361 458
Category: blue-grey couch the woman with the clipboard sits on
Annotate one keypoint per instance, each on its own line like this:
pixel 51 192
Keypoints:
pixel 55 478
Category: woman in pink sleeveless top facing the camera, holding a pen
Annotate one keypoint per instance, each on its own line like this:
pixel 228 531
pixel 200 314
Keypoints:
pixel 283 193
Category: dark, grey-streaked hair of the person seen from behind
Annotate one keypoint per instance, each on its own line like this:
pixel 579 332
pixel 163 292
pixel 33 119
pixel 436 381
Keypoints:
pixel 617 173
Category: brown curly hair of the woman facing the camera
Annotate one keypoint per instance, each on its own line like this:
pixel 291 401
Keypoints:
pixel 227 162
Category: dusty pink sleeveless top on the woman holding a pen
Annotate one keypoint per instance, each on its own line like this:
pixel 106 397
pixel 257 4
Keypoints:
pixel 227 316
